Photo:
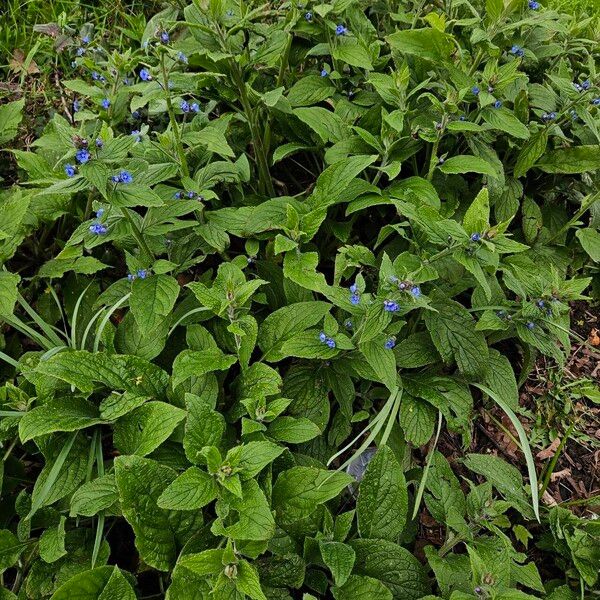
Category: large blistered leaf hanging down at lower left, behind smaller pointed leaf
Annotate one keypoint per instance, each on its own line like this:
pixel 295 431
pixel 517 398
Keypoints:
pixel 140 483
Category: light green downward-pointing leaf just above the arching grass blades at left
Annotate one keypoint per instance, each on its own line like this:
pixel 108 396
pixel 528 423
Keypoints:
pixel 152 299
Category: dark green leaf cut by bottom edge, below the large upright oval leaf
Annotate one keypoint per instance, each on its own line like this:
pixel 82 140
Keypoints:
pixel 393 565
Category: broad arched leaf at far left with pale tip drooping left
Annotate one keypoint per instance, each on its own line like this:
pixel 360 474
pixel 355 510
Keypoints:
pixel 61 414
